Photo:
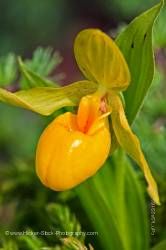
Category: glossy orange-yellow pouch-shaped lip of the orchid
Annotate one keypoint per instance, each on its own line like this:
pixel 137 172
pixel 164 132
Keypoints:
pixel 73 147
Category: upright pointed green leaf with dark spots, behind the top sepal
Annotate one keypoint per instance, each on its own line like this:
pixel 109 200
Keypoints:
pixel 135 42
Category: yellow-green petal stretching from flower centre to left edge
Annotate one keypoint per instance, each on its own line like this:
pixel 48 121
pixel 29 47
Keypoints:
pixel 46 100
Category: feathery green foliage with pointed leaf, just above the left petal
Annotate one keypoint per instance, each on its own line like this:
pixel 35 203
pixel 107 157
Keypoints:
pixel 42 64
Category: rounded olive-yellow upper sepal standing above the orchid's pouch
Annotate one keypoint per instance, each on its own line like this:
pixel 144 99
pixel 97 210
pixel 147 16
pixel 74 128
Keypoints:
pixel 100 59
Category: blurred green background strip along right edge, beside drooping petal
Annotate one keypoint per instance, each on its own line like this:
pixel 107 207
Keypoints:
pixel 150 125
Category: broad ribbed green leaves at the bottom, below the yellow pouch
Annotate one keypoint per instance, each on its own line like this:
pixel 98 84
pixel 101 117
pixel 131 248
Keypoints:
pixel 116 198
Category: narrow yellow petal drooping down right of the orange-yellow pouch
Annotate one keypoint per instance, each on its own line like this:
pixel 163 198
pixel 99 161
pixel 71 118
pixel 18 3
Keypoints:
pixel 129 141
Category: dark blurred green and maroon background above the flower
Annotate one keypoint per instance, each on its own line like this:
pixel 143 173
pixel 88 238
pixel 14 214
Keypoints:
pixel 24 25
